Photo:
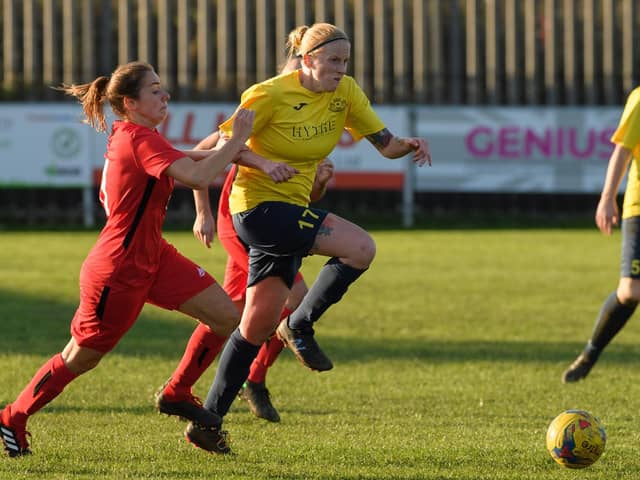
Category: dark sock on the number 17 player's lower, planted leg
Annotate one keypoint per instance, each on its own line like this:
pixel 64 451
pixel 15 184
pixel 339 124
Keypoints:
pixel 233 370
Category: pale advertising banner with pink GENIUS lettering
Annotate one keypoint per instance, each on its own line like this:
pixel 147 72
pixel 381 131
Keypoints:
pixel 516 149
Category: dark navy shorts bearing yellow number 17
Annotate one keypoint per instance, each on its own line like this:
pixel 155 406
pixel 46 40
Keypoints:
pixel 279 235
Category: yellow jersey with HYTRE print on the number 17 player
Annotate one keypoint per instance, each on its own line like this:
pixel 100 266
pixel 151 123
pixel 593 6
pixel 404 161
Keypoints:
pixel 299 127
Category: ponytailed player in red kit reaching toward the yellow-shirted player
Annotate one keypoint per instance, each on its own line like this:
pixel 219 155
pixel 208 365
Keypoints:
pixel 131 263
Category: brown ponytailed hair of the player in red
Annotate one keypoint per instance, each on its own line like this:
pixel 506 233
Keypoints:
pixel 125 81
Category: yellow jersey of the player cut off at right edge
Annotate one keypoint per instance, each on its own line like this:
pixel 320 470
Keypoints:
pixel 628 135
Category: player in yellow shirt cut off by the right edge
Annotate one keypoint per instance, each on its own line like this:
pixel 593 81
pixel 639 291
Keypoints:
pixel 620 304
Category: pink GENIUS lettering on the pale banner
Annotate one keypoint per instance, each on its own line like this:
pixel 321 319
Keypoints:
pixel 518 143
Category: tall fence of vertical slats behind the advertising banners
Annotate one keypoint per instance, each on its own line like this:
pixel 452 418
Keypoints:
pixel 494 52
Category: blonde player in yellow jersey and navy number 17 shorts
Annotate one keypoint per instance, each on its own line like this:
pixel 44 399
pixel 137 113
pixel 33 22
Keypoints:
pixel 300 117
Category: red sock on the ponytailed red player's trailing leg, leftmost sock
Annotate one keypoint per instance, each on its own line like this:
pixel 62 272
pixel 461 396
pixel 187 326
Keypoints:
pixel 46 384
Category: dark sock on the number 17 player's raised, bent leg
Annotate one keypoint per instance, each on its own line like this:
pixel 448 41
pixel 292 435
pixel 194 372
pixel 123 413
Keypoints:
pixel 332 283
